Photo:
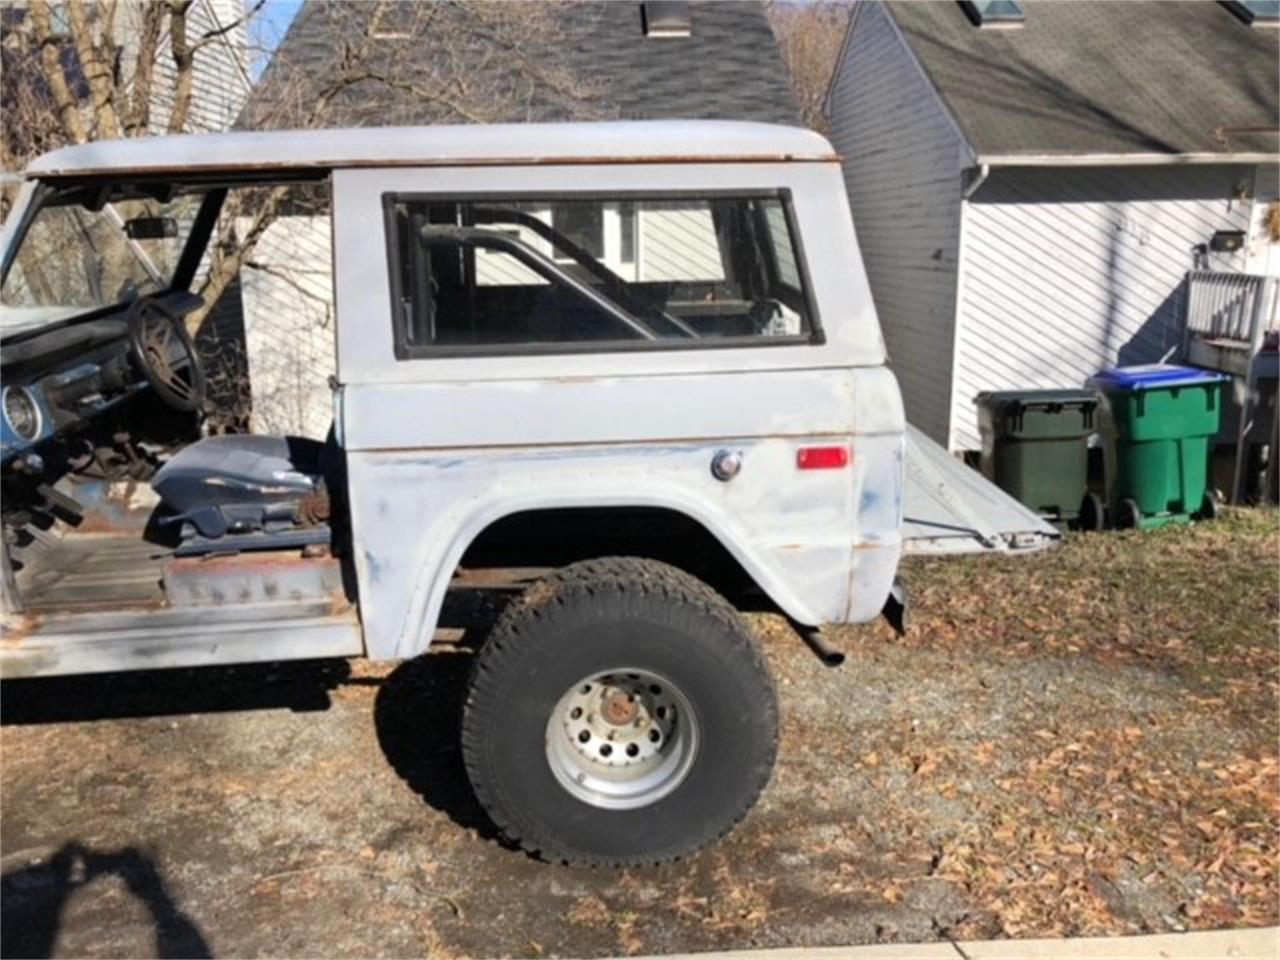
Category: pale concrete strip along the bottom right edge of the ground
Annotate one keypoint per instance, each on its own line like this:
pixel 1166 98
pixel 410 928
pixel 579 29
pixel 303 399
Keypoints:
pixel 1256 944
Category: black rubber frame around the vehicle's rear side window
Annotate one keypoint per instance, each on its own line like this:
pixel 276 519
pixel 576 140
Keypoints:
pixel 815 337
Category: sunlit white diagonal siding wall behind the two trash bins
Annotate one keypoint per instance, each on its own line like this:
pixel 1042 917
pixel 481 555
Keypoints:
pixel 1072 271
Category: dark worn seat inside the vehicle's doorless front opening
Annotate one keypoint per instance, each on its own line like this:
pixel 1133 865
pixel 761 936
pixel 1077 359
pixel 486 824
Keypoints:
pixel 241 483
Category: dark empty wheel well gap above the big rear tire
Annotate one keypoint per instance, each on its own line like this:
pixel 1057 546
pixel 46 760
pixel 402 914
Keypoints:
pixel 556 538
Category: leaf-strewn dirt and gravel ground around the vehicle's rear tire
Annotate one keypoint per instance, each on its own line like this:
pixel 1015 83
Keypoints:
pixel 1076 743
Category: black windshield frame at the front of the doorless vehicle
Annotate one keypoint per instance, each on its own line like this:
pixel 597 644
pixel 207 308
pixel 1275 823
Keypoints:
pixel 115 191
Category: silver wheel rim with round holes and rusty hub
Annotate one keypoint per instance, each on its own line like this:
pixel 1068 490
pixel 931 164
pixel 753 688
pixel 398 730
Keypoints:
pixel 623 739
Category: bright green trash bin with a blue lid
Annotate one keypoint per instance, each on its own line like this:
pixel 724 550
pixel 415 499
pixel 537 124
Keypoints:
pixel 1159 426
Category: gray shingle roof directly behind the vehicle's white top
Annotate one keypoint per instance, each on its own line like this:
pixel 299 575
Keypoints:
pixel 729 68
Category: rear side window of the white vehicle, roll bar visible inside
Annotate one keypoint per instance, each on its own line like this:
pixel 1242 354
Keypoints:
pixel 499 276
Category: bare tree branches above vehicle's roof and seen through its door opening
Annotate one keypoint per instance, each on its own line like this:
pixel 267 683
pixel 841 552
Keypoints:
pixel 77 72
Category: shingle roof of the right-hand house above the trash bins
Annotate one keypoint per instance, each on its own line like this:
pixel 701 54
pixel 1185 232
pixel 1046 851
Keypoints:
pixel 1108 77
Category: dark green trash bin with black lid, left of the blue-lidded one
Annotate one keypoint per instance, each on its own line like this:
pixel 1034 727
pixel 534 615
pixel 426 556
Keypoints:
pixel 1036 447
